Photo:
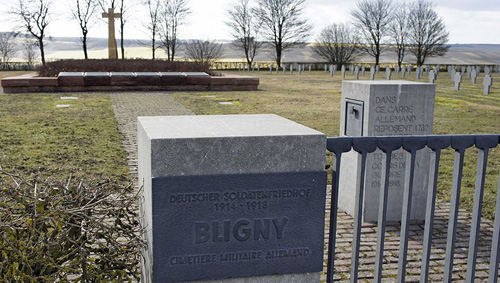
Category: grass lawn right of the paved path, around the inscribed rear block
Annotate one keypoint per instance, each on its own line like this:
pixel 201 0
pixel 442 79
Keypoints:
pixel 313 99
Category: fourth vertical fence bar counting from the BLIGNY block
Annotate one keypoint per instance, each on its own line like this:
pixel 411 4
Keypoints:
pixel 405 218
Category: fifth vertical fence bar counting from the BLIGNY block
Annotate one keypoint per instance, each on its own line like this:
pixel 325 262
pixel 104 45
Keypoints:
pixel 429 215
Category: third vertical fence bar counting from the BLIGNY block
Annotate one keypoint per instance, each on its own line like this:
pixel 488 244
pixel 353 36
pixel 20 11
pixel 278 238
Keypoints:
pixel 382 213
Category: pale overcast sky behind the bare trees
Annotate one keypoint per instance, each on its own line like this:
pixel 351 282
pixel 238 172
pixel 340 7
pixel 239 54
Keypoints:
pixel 469 21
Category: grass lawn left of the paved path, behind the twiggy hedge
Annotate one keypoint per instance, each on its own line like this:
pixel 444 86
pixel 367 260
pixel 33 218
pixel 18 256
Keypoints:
pixel 38 138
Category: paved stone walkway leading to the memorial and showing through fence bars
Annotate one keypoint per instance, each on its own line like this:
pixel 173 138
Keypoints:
pixel 128 106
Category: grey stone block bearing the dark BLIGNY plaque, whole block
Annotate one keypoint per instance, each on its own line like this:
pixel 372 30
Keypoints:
pixel 231 196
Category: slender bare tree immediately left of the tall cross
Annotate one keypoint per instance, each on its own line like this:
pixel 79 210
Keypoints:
pixel 83 11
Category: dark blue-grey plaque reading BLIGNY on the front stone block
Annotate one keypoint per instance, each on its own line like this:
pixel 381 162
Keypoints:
pixel 225 226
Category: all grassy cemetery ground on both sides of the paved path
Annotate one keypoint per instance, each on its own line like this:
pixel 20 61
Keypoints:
pixel 84 139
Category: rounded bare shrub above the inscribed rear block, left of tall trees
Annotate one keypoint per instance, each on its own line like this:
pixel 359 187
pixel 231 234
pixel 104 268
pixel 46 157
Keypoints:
pixel 337 44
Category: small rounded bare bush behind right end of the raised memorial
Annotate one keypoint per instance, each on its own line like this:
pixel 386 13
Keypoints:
pixel 204 51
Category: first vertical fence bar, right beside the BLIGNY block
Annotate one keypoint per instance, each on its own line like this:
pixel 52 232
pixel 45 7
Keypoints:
pixel 333 219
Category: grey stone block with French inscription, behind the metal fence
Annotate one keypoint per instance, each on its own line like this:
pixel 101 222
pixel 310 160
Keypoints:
pixel 390 108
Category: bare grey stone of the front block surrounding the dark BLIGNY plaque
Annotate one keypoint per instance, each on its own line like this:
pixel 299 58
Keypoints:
pixel 173 146
